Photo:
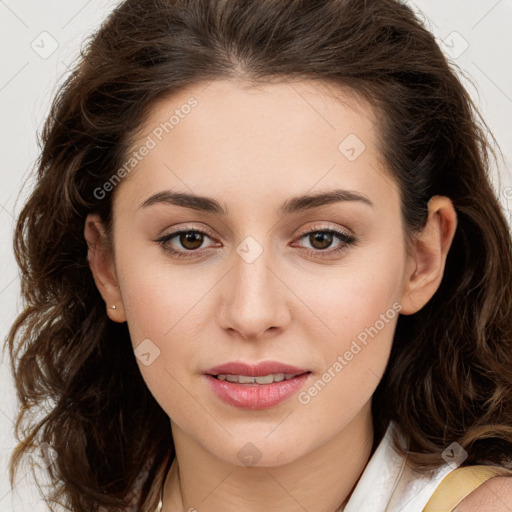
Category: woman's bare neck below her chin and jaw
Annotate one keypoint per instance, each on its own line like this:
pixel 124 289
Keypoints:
pixel 322 479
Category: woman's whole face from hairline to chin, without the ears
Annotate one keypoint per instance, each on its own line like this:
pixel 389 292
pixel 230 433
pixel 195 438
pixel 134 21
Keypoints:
pixel 263 277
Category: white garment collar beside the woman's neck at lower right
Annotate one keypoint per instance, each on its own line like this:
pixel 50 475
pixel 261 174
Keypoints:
pixel 388 484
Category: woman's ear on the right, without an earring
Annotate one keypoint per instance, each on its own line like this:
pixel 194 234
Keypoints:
pixel 425 264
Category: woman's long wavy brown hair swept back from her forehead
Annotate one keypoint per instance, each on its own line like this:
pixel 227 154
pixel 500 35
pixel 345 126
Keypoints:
pixel 449 376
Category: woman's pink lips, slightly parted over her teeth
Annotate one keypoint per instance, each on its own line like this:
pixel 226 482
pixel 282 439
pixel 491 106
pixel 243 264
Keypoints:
pixel 255 396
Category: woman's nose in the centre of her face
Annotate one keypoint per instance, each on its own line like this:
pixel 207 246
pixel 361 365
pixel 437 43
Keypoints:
pixel 253 298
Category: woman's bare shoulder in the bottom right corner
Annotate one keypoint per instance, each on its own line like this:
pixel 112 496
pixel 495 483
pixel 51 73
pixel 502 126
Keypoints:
pixel 494 495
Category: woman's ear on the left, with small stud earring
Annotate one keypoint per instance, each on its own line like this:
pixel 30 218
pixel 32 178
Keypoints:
pixel 101 262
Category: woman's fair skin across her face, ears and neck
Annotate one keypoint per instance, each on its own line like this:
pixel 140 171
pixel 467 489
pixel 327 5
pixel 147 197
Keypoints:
pixel 252 148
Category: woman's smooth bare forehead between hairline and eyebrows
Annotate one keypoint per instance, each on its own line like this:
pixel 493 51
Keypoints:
pixel 225 134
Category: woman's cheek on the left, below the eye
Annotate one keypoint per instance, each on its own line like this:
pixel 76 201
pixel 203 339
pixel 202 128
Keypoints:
pixel 165 307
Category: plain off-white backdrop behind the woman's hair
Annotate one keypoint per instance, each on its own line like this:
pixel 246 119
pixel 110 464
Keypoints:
pixel 40 39
